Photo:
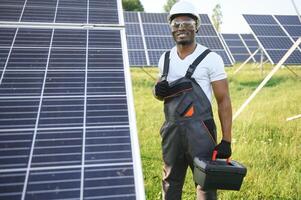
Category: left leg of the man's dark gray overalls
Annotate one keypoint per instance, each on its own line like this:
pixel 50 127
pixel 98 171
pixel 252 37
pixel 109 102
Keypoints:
pixel 175 163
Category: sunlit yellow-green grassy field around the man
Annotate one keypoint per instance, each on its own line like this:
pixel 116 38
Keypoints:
pixel 263 140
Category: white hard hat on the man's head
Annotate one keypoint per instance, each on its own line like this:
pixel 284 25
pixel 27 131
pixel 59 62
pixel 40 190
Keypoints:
pixel 184 7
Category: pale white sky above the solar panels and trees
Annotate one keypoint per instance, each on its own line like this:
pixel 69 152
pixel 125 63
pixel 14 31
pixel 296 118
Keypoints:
pixel 232 10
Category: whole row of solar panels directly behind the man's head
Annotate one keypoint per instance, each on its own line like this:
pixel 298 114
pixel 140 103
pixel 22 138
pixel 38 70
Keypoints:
pixel 149 35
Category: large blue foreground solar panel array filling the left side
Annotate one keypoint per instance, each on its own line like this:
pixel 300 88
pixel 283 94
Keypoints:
pixel 66 125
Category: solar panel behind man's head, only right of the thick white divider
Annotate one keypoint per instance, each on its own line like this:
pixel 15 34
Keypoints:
pixel 158 36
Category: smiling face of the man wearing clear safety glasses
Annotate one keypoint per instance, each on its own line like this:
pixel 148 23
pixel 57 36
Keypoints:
pixel 183 30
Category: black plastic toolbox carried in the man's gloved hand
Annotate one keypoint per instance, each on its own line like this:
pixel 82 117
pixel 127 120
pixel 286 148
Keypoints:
pixel 219 174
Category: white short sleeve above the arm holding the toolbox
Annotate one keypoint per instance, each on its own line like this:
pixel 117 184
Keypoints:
pixel 216 68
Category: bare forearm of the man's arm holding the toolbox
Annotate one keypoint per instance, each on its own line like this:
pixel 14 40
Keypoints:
pixel 225 117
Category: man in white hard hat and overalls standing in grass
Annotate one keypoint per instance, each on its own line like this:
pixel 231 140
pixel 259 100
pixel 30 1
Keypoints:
pixel 188 75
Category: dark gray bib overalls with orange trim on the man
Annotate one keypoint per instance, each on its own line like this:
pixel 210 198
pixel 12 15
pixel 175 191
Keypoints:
pixel 188 131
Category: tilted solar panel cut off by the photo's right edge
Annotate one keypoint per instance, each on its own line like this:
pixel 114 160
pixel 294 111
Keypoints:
pixel 273 37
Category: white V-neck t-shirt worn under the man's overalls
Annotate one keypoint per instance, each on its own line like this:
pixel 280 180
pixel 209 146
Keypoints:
pixel 210 69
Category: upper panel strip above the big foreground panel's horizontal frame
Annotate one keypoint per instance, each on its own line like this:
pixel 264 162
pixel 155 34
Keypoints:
pixel 59 11
